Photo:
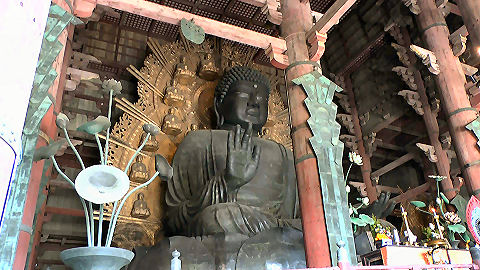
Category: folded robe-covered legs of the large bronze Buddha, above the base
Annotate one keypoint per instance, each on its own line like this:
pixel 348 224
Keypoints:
pixel 231 218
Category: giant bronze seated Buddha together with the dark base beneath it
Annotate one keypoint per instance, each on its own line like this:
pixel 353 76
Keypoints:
pixel 232 187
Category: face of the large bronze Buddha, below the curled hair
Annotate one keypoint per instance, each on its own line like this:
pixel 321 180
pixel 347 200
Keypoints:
pixel 246 102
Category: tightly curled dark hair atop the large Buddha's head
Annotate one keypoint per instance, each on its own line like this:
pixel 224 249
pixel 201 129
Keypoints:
pixel 239 73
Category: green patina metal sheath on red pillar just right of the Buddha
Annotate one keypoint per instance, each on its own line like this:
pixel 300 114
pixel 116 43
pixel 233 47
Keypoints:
pixel 329 151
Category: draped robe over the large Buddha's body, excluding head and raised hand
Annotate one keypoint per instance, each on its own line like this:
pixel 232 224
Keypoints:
pixel 198 202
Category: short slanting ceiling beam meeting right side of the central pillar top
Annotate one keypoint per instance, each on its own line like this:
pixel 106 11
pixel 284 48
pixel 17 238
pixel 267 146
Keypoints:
pixel 331 17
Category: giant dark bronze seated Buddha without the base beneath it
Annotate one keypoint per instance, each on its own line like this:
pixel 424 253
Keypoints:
pixel 229 180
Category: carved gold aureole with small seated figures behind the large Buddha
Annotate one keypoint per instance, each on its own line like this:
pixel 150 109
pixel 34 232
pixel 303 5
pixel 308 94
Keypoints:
pixel 176 90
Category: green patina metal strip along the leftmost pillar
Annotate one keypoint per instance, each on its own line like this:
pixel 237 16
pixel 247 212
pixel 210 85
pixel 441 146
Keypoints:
pixel 40 102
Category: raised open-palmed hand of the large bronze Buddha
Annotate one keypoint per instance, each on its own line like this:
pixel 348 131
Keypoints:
pixel 242 161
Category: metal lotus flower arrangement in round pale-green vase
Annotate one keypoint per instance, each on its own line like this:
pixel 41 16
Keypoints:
pixel 101 184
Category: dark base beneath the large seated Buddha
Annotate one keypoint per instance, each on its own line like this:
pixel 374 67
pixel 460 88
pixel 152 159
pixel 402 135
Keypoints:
pixel 278 248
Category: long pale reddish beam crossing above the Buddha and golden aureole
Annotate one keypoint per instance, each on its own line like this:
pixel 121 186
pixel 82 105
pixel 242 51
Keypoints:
pixel 212 27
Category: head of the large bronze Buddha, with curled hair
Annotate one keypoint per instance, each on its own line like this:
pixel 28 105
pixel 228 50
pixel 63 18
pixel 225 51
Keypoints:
pixel 241 97
